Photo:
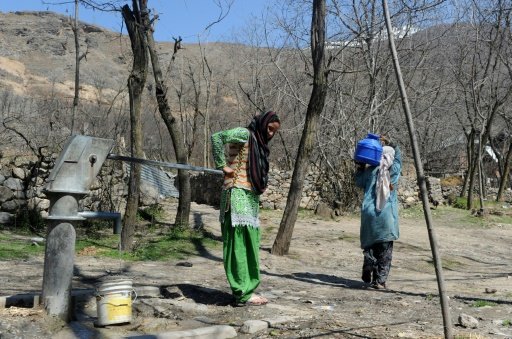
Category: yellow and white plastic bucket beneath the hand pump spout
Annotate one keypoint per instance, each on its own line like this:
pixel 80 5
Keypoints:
pixel 114 302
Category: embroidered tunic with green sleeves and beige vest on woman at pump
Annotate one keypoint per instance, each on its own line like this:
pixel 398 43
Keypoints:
pixel 243 202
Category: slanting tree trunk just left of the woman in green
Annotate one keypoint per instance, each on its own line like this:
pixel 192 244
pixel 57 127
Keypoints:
pixel 178 140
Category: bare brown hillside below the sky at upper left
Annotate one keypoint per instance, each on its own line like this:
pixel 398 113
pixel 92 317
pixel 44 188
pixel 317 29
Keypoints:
pixel 38 56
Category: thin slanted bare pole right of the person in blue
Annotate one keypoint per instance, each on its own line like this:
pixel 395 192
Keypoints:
pixel 420 177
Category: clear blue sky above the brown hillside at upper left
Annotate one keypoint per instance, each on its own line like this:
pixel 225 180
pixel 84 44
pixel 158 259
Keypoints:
pixel 185 18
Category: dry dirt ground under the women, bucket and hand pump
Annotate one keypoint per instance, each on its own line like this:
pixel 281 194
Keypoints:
pixel 315 291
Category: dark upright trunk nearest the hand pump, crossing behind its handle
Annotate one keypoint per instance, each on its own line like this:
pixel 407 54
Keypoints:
pixel 136 82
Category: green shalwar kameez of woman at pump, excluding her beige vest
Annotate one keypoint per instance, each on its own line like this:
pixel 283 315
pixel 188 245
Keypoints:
pixel 239 222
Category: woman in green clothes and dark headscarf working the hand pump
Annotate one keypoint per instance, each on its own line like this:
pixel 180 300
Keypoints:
pixel 245 178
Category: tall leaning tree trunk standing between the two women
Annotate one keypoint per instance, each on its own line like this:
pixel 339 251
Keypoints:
pixel 316 104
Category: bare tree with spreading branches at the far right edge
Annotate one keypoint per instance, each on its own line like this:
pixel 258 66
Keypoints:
pixel 483 74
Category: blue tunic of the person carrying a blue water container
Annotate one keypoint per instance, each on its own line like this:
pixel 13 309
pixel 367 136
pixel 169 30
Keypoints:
pixel 380 226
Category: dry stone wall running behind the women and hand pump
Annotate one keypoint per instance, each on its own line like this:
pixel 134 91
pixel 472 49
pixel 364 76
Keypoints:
pixel 22 180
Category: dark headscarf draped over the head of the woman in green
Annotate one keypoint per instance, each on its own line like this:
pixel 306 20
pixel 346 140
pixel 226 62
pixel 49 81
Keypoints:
pixel 259 151
